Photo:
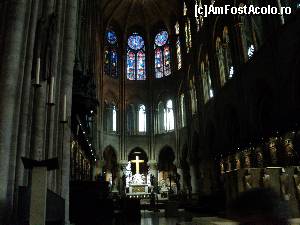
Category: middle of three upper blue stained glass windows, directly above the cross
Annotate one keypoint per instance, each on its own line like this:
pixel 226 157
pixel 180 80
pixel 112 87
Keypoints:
pixel 136 59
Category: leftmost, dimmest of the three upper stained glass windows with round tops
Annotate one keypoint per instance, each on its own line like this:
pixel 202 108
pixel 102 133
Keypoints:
pixel 110 54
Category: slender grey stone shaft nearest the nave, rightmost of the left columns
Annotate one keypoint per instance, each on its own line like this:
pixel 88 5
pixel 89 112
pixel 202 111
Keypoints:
pixel 66 89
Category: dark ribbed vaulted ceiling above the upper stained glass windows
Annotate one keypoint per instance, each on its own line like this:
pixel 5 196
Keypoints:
pixel 140 13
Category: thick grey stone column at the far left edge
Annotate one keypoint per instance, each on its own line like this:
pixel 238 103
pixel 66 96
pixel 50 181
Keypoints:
pixel 9 77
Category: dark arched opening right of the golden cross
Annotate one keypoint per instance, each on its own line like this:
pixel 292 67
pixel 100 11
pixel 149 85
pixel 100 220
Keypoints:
pixel 167 170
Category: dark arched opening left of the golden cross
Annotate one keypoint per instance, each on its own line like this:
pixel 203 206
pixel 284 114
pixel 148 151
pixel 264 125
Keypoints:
pixel 110 167
